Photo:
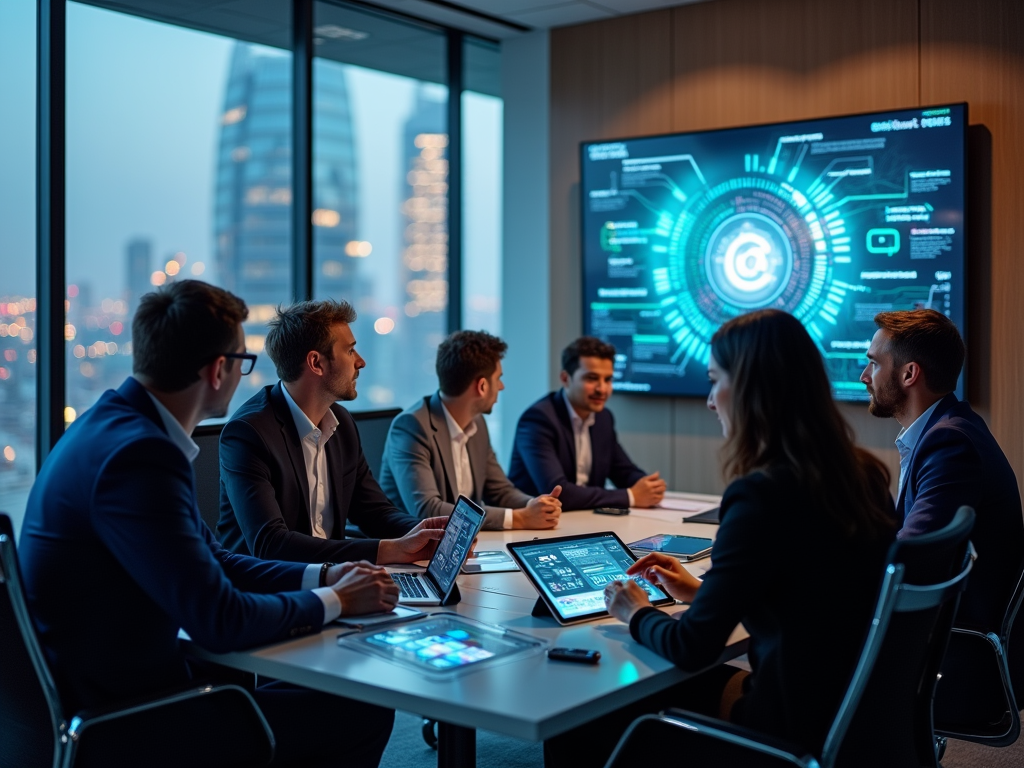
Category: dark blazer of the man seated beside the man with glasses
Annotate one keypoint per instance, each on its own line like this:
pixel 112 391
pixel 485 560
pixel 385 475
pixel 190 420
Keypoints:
pixel 265 490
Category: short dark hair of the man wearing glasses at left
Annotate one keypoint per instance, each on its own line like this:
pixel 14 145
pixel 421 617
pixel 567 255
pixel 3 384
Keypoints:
pixel 181 328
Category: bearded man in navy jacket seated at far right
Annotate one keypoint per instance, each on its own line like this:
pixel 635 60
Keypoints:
pixel 949 458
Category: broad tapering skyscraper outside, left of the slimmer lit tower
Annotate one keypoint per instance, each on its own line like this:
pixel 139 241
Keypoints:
pixel 252 209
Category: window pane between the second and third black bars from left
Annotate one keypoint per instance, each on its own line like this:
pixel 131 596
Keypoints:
pixel 381 194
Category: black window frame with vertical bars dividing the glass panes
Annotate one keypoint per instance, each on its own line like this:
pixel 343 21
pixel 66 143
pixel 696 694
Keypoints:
pixel 52 199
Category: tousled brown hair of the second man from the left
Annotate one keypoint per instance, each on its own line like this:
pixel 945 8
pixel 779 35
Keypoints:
pixel 303 328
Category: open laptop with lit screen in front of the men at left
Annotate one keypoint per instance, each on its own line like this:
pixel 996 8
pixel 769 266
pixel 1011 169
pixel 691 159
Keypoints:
pixel 434 586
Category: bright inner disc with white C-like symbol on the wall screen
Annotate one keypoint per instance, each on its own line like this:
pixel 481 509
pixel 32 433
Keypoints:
pixel 749 261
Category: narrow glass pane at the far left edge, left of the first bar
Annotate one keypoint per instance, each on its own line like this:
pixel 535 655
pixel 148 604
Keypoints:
pixel 18 257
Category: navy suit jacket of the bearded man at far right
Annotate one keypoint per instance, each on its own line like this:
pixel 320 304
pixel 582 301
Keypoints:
pixel 956 462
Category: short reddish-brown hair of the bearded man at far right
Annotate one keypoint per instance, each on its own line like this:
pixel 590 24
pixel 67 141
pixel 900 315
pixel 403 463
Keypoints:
pixel 928 338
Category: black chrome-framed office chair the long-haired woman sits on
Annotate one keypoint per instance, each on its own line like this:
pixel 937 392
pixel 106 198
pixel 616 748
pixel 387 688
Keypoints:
pixel 886 714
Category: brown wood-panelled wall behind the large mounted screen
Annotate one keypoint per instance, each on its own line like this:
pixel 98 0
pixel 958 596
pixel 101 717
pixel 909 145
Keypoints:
pixel 730 63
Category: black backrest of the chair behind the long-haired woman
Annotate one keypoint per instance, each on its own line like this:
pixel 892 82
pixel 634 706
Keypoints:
pixel 888 707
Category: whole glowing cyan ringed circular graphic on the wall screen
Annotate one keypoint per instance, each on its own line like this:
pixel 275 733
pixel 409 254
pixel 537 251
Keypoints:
pixel 751 242
